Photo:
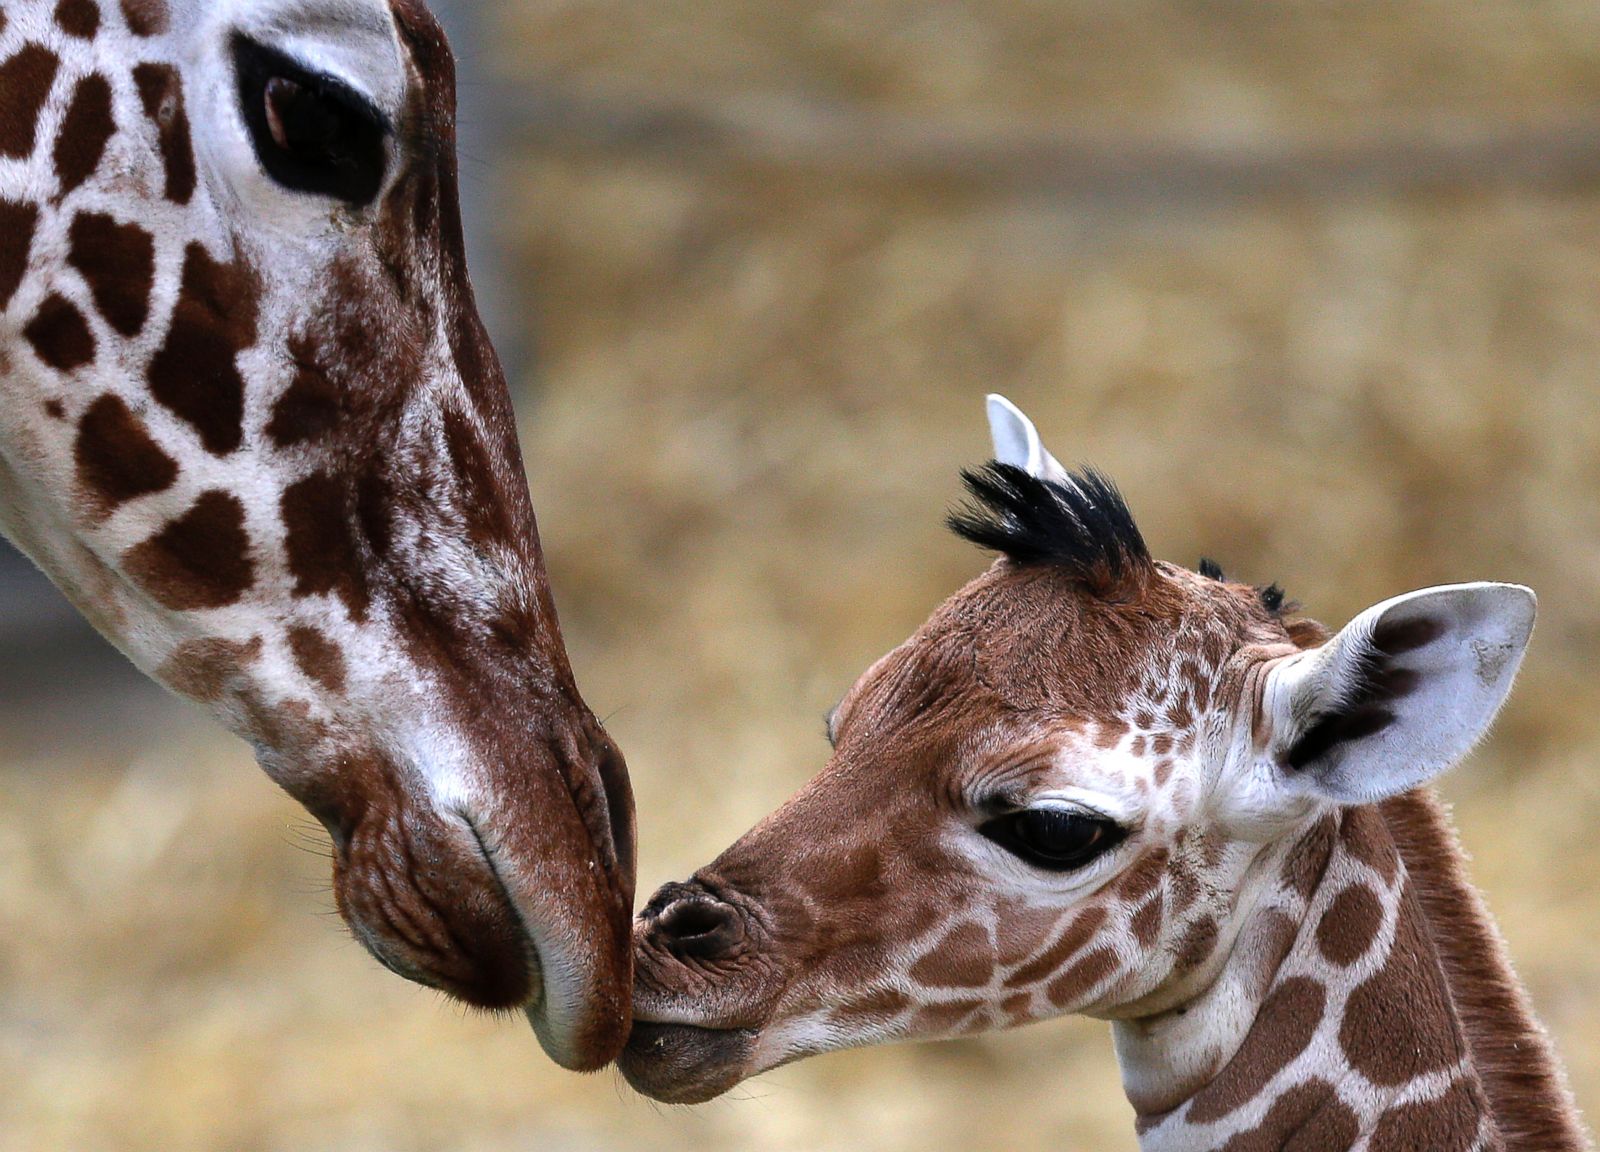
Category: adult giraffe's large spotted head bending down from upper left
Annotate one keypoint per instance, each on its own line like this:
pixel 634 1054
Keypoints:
pixel 252 425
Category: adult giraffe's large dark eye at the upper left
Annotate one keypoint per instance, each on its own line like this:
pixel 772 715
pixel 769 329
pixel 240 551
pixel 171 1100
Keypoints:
pixel 311 132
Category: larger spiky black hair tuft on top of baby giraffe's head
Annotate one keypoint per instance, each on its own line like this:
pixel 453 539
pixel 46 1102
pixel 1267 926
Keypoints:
pixel 1082 526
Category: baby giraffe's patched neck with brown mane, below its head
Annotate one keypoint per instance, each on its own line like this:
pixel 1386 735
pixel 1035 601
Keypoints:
pixel 1367 1004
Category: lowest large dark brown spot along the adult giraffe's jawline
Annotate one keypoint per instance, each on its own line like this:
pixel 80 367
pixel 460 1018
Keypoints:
pixel 201 559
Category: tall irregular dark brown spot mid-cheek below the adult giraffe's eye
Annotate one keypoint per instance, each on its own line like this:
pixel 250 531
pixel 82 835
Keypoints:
pixel 196 374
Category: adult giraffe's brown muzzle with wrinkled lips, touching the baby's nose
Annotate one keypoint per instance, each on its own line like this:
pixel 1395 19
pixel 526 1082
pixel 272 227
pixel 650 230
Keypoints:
pixel 513 897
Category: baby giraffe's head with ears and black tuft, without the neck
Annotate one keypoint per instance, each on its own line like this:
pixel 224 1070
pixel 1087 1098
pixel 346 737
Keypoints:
pixel 1065 794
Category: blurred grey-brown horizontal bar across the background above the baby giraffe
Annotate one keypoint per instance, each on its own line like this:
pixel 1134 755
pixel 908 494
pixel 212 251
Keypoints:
pixel 854 143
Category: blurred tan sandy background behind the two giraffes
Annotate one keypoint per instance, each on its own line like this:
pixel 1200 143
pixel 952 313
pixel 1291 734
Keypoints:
pixel 761 364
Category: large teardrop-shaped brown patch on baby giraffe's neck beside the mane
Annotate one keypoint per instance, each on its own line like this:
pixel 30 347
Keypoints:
pixel 1399 1023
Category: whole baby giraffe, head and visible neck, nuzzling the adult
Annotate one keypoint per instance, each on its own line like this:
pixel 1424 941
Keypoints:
pixel 1098 783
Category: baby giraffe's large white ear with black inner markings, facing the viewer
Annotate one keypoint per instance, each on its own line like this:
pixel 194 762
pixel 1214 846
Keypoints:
pixel 1399 695
